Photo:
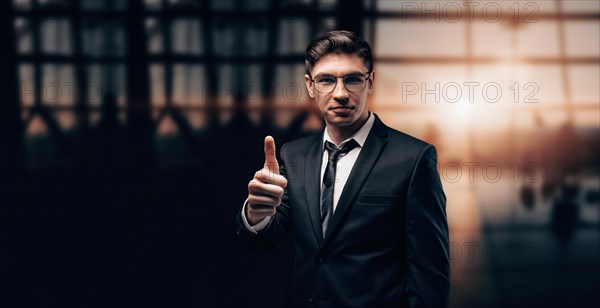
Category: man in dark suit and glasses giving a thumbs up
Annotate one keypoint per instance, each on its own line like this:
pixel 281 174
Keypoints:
pixel 363 202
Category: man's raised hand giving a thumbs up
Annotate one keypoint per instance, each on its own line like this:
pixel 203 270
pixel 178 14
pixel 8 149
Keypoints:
pixel 266 188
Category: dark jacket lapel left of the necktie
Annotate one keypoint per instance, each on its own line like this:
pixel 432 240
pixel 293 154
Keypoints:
pixel 312 178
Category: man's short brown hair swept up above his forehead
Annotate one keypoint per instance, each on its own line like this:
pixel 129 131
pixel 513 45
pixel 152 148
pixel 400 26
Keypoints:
pixel 339 42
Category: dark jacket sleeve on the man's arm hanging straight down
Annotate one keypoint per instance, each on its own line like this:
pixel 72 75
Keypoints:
pixel 427 243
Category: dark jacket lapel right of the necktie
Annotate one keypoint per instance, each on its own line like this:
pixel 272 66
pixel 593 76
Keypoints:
pixel 369 154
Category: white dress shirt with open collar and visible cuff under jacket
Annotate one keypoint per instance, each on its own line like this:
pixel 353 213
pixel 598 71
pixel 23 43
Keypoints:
pixel 344 167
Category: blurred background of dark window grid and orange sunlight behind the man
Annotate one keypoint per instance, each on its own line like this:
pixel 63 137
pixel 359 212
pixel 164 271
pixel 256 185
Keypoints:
pixel 129 131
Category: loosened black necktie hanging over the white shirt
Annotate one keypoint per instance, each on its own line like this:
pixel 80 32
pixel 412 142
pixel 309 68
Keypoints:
pixel 329 179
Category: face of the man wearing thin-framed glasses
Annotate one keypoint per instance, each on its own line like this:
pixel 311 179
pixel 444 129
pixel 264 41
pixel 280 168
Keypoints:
pixel 340 107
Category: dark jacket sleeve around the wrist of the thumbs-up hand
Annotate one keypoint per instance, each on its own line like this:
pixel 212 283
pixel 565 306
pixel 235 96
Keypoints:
pixel 278 228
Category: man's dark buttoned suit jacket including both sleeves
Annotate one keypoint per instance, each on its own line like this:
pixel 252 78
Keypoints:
pixel 387 242
